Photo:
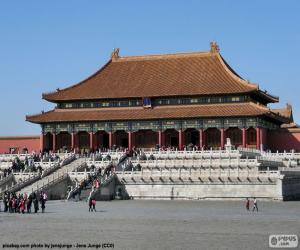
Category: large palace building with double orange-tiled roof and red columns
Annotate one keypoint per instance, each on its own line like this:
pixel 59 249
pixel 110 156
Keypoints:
pixel 169 100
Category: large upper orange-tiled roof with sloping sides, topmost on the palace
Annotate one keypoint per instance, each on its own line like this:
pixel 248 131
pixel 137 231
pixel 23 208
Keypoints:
pixel 200 73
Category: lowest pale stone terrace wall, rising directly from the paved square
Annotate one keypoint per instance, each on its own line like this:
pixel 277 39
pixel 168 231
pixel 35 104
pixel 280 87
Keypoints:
pixel 203 191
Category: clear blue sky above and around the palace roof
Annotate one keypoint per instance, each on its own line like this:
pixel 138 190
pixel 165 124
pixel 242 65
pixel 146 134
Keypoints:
pixel 49 44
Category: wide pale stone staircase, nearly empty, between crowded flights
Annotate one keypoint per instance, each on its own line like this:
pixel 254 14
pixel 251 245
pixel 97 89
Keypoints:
pixel 51 178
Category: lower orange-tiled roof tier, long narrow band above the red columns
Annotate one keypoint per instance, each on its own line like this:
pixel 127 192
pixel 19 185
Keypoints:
pixel 159 112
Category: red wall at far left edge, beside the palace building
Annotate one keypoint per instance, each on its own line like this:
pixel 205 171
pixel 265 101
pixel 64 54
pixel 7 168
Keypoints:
pixel 19 143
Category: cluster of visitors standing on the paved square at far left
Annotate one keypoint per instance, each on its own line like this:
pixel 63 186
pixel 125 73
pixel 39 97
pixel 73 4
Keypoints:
pixel 21 203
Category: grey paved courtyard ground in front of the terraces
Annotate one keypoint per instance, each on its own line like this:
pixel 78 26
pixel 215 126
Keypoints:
pixel 153 225
